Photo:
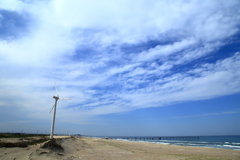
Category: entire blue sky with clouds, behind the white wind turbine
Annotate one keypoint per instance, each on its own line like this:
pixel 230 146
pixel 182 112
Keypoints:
pixel 132 68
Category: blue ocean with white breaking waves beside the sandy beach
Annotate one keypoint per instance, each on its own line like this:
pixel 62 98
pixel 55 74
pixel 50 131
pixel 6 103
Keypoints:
pixel 223 142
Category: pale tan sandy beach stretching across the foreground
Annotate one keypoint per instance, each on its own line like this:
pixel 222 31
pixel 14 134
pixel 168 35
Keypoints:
pixel 102 149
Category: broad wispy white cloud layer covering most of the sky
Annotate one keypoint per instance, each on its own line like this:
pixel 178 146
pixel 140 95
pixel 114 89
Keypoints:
pixel 80 45
